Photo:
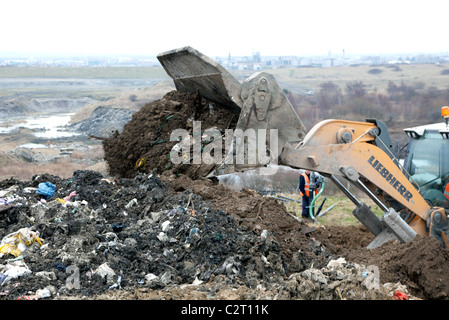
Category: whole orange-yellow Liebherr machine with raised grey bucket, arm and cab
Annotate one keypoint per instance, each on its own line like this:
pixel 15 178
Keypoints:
pixel 409 191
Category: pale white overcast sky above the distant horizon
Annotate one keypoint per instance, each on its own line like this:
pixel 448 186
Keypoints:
pixel 217 28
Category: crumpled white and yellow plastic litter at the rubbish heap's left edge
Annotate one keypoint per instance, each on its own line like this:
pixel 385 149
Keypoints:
pixel 17 242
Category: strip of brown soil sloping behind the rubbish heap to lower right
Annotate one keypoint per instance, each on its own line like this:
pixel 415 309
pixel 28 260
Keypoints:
pixel 421 265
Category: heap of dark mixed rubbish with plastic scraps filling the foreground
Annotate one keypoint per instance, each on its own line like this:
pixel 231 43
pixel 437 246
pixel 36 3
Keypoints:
pixel 86 236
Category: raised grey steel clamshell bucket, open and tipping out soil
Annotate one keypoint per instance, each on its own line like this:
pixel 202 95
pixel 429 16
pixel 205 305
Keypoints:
pixel 266 122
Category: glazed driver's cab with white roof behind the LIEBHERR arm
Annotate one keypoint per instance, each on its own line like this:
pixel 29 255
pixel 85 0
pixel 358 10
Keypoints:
pixel 427 161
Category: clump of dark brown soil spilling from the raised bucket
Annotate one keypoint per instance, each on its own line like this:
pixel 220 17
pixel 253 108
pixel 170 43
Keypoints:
pixel 147 136
